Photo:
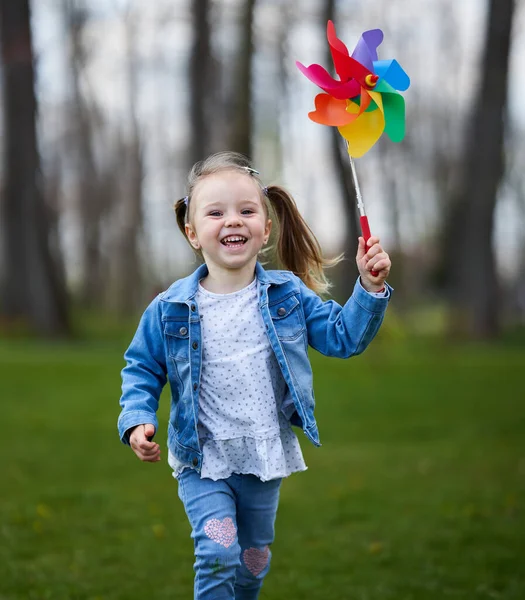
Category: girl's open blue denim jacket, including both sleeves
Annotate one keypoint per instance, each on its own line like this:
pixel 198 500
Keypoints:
pixel 167 347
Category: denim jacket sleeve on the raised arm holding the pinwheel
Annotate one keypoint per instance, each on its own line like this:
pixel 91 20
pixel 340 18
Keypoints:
pixel 343 331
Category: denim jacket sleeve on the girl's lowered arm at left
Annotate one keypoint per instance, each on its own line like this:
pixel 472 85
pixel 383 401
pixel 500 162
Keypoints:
pixel 144 375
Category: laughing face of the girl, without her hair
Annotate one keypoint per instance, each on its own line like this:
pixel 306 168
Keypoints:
pixel 228 221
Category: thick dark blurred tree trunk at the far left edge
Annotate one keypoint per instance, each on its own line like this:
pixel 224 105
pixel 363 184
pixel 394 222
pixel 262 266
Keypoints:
pixel 33 290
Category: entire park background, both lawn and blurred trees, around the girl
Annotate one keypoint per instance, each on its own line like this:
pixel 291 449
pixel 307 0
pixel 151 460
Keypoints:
pixel 106 104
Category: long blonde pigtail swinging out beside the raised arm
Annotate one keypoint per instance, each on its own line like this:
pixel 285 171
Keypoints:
pixel 297 247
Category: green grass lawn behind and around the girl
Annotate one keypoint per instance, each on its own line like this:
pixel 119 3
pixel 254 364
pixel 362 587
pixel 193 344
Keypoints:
pixel 417 492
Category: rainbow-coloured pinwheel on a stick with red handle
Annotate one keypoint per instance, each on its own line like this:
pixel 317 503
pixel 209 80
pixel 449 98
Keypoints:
pixel 364 102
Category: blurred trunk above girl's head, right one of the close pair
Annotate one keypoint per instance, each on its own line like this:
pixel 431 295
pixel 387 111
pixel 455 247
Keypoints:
pixel 241 131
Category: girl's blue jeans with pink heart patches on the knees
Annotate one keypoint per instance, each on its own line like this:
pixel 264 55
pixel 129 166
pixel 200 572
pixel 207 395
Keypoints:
pixel 233 526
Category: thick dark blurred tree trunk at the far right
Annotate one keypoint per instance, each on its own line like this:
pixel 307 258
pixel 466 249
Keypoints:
pixel 470 251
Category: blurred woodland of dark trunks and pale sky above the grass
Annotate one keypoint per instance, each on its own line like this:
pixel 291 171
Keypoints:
pixel 108 103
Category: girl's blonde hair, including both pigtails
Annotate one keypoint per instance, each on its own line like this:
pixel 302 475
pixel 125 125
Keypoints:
pixel 297 247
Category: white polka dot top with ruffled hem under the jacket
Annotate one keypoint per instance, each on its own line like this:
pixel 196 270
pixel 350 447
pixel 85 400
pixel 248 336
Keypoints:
pixel 241 426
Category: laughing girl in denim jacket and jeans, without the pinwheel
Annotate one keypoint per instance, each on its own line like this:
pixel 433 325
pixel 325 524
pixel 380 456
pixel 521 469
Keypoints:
pixel 232 341
